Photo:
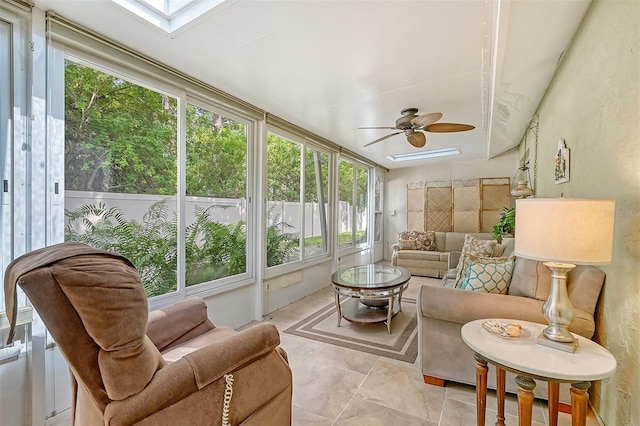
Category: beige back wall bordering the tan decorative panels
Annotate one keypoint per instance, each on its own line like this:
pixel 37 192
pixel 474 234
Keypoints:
pixel 397 179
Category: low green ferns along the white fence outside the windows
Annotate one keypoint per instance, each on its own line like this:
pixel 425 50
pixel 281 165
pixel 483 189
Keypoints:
pixel 213 250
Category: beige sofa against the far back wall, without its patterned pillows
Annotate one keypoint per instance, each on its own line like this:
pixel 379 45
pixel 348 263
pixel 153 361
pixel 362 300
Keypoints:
pixel 432 263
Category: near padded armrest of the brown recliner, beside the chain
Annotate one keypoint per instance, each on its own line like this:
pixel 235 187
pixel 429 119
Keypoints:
pixel 200 368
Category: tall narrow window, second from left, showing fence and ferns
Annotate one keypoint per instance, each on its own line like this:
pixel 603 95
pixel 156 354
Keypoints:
pixel 216 202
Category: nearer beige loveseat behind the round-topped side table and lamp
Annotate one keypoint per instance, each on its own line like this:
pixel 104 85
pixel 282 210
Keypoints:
pixel 444 308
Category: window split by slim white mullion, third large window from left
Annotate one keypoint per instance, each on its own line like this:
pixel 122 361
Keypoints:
pixel 297 190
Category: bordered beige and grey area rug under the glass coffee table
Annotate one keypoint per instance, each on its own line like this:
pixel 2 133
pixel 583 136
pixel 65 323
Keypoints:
pixel 401 344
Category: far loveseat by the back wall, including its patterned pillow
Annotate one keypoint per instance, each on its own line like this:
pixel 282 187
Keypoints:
pixel 427 253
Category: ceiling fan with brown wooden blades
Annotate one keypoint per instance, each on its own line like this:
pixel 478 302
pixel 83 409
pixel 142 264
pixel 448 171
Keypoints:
pixel 413 125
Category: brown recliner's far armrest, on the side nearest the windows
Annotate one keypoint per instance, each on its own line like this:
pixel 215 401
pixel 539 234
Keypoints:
pixel 178 322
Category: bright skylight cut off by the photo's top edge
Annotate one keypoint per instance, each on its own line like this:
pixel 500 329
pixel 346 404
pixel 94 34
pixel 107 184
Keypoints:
pixel 169 15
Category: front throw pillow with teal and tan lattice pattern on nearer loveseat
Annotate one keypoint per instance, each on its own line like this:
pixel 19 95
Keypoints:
pixel 490 275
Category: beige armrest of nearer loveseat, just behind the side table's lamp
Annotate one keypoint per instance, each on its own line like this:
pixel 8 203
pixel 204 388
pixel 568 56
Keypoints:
pixel 462 306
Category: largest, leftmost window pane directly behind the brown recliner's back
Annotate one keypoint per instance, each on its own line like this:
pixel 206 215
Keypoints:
pixel 121 172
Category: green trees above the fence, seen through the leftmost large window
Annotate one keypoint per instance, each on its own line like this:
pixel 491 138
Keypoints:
pixel 119 136
